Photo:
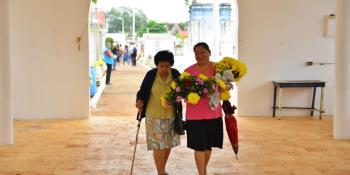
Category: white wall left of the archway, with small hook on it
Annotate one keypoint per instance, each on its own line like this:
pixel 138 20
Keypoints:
pixel 50 76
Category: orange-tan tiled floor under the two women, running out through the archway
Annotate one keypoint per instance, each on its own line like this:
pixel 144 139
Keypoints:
pixel 103 144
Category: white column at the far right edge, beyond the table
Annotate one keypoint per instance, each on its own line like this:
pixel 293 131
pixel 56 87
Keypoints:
pixel 342 71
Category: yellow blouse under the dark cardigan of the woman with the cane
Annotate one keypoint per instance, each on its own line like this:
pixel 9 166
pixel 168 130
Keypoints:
pixel 154 106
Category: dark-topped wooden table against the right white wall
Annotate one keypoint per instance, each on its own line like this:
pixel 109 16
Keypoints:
pixel 277 93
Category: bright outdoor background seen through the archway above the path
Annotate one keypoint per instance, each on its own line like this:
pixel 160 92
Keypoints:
pixel 151 29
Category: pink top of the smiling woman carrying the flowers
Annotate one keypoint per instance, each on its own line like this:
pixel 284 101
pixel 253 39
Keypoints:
pixel 201 111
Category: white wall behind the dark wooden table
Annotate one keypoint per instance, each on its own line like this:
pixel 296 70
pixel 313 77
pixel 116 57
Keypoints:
pixel 276 38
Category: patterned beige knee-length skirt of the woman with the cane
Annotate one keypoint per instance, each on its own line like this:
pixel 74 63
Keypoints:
pixel 160 134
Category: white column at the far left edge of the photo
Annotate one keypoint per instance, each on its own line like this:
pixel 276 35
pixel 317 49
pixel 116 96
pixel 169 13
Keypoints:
pixel 6 125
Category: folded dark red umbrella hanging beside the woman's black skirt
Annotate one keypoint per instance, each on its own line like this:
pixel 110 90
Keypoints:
pixel 231 125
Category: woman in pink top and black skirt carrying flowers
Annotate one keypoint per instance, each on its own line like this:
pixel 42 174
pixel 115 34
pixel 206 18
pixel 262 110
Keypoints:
pixel 204 125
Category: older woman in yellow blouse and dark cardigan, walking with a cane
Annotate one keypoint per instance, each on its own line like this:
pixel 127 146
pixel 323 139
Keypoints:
pixel 159 120
